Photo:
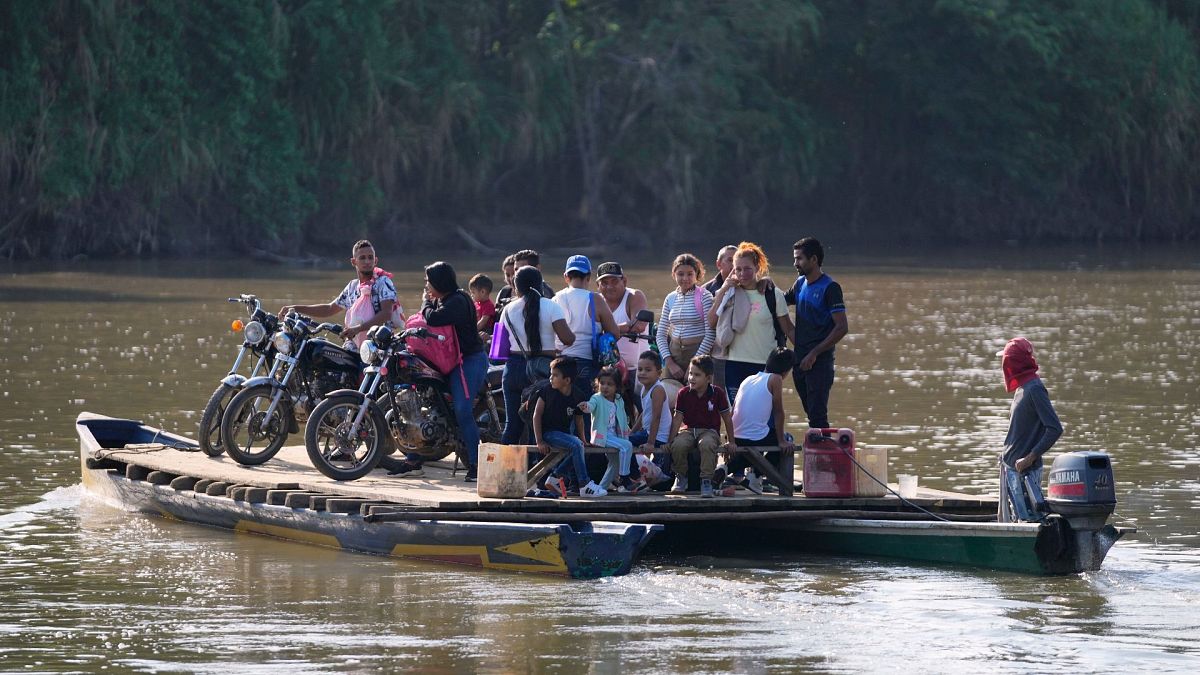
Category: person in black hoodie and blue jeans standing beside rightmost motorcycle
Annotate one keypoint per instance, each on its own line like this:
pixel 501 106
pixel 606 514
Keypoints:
pixel 447 304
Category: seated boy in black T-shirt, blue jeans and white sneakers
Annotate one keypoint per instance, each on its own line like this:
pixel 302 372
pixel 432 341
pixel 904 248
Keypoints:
pixel 556 411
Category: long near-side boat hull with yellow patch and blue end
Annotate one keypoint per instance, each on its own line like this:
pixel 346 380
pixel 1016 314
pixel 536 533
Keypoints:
pixel 585 551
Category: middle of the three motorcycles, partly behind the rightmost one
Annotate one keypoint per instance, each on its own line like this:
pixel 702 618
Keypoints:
pixel 271 408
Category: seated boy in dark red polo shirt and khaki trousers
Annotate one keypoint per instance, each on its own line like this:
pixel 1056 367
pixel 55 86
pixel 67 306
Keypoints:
pixel 700 409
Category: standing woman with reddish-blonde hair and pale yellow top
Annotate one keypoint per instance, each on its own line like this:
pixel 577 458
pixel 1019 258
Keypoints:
pixel 751 318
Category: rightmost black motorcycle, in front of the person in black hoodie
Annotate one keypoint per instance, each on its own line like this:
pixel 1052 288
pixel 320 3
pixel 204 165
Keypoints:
pixel 403 404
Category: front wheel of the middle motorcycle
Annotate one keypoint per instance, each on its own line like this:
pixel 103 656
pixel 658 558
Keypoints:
pixel 248 433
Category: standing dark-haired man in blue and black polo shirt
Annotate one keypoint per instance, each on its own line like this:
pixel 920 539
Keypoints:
pixel 820 325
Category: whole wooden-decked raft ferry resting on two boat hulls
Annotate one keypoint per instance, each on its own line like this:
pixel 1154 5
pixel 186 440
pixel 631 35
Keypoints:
pixel 441 518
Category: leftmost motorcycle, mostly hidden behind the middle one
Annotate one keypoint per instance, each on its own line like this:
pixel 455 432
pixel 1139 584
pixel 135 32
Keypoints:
pixel 256 343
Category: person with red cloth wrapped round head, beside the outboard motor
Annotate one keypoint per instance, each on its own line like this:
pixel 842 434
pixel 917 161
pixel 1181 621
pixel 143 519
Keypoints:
pixel 1034 428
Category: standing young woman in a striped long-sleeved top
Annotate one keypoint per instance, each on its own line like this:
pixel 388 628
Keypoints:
pixel 683 325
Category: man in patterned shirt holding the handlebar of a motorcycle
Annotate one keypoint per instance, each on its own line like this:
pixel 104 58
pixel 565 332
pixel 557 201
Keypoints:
pixel 369 301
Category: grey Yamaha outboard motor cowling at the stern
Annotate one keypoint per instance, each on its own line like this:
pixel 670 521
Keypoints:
pixel 1082 489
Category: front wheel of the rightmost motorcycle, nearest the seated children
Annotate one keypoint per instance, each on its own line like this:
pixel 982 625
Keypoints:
pixel 337 452
